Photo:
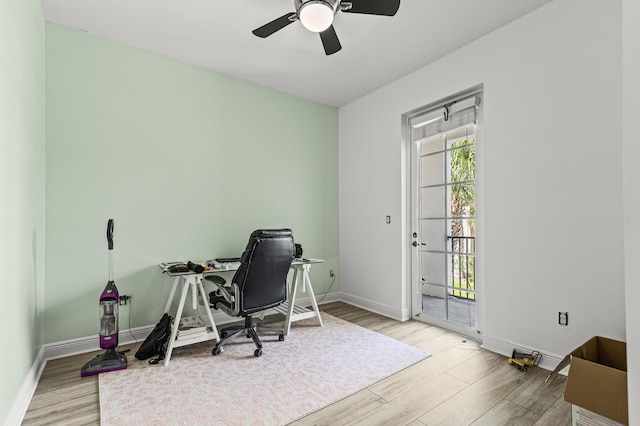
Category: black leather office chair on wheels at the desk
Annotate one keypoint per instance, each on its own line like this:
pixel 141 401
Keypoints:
pixel 259 284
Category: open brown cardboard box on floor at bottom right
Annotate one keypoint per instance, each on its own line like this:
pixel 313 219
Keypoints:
pixel 597 379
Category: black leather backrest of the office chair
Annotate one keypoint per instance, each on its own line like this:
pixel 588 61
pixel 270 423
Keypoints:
pixel 262 276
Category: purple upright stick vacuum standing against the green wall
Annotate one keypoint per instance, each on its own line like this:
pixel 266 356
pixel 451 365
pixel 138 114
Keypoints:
pixel 111 360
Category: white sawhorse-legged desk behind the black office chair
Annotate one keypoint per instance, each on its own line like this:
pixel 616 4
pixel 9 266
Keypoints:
pixel 193 282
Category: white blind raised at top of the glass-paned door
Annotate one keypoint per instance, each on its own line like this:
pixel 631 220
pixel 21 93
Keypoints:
pixel 444 118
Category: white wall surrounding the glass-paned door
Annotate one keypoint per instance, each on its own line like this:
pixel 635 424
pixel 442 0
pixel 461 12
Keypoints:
pixel 551 181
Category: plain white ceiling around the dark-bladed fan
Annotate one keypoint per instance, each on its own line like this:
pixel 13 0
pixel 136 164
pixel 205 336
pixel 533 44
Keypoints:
pixel 216 34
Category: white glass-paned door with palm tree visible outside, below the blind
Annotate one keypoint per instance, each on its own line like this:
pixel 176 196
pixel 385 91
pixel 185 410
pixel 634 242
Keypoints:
pixel 443 187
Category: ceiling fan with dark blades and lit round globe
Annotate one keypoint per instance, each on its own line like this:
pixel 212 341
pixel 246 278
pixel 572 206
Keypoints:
pixel 317 16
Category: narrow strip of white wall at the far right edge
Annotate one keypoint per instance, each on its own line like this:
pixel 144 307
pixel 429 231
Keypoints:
pixel 631 151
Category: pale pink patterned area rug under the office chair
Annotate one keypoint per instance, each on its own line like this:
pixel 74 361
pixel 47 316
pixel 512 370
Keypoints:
pixel 312 368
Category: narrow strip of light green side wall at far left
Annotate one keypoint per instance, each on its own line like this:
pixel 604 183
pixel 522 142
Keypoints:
pixel 22 143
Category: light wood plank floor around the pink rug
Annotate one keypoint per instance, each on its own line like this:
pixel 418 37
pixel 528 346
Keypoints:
pixel 460 384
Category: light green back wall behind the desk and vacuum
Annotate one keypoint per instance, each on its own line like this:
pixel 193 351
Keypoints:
pixel 186 161
